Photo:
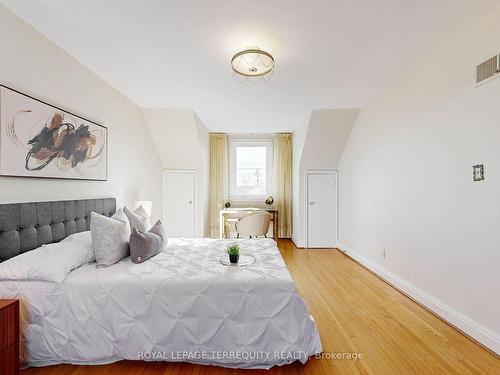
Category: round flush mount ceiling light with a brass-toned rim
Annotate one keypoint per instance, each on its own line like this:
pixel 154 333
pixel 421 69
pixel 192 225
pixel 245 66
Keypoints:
pixel 252 62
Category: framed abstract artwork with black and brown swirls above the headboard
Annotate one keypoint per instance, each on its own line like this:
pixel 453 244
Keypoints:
pixel 38 139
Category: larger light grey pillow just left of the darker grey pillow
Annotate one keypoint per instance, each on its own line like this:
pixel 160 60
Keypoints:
pixel 110 237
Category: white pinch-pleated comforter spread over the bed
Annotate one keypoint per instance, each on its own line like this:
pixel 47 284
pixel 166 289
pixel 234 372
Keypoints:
pixel 181 305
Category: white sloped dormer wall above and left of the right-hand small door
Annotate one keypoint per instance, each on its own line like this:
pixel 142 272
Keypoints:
pixel 317 145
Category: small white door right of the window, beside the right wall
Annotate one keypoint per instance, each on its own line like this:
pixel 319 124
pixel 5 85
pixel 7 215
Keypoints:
pixel 321 209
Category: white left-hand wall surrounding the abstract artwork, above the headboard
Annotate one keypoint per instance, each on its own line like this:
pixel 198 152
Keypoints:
pixel 32 64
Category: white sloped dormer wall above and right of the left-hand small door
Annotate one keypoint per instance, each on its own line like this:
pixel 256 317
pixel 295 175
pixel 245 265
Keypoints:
pixel 183 143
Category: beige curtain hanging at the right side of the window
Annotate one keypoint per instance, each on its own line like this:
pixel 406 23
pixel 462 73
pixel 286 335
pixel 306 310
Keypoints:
pixel 283 183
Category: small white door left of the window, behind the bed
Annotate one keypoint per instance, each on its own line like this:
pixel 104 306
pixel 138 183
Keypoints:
pixel 179 203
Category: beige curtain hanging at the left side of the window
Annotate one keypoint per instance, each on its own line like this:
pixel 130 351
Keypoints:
pixel 218 194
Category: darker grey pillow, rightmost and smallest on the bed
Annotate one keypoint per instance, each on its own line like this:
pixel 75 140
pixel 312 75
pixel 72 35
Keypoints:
pixel 144 245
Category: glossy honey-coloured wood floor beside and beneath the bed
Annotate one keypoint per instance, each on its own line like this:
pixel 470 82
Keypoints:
pixel 355 312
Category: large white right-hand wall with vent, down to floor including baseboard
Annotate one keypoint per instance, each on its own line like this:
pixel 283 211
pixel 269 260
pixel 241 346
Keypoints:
pixel 406 185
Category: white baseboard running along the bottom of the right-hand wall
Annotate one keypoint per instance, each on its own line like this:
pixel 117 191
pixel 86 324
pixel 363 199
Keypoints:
pixel 476 331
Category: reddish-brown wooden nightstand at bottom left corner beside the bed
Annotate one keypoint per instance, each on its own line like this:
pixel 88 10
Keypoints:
pixel 9 336
